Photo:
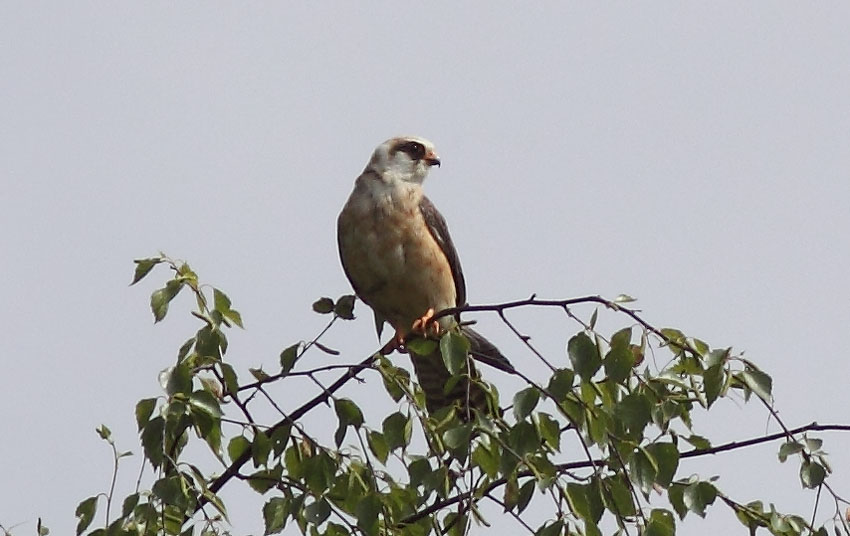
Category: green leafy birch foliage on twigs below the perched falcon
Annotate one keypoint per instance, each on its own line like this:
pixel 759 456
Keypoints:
pixel 633 424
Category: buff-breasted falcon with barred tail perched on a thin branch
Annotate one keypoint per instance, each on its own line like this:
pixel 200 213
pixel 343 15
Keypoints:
pixel 396 251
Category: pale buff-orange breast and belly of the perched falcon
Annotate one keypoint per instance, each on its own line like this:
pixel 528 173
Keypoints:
pixel 393 262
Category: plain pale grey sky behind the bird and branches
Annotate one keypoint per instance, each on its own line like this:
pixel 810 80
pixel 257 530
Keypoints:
pixel 693 155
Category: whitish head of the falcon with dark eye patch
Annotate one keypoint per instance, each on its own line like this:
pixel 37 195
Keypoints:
pixel 405 158
